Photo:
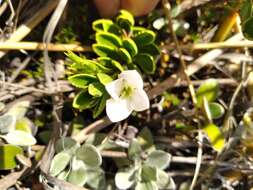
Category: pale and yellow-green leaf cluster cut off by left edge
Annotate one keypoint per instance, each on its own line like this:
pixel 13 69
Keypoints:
pixel 17 130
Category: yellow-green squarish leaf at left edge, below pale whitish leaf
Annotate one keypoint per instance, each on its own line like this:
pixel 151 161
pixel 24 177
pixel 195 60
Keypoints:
pixel 7 156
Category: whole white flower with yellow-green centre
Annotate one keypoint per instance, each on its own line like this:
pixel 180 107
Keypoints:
pixel 127 95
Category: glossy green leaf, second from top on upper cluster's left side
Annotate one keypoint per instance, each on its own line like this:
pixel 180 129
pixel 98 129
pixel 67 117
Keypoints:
pixel 108 39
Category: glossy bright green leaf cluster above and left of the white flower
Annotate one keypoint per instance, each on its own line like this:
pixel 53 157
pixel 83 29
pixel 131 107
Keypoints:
pixel 120 45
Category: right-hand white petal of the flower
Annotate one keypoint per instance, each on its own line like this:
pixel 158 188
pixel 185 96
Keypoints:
pixel 139 100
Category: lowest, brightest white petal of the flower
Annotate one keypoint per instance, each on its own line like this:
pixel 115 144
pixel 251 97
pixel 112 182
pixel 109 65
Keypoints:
pixel 117 110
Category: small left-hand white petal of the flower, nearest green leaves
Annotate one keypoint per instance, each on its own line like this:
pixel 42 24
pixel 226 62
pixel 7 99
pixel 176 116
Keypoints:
pixel 114 88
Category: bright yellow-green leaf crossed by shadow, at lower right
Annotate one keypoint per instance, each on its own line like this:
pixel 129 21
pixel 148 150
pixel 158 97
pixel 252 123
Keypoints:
pixel 215 136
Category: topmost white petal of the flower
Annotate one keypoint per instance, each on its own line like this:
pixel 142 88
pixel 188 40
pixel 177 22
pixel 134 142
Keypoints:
pixel 133 78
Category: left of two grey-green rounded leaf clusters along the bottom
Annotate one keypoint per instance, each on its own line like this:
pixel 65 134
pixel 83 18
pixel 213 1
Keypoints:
pixel 77 164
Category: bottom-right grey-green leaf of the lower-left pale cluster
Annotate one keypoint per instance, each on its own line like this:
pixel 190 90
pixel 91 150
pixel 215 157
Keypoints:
pixel 96 178
